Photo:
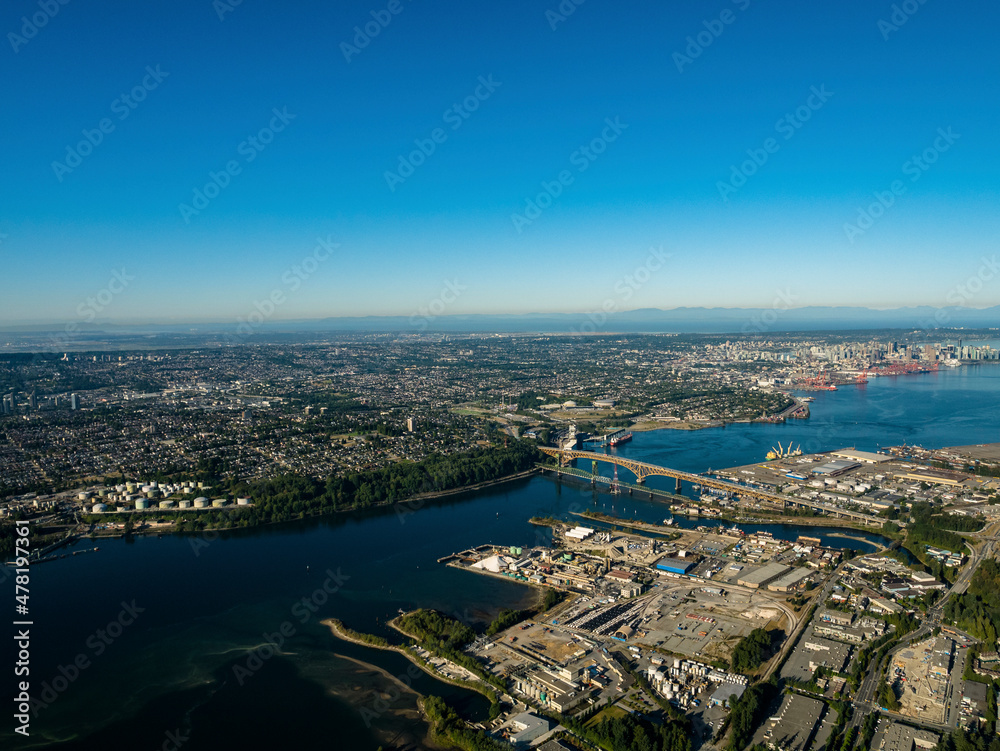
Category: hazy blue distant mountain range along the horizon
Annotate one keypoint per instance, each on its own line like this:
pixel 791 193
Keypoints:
pixel 649 320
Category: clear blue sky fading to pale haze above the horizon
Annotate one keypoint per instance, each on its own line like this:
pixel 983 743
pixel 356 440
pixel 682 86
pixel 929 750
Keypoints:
pixel 656 185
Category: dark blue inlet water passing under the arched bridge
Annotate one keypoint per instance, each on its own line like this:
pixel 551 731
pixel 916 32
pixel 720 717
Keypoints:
pixel 205 604
